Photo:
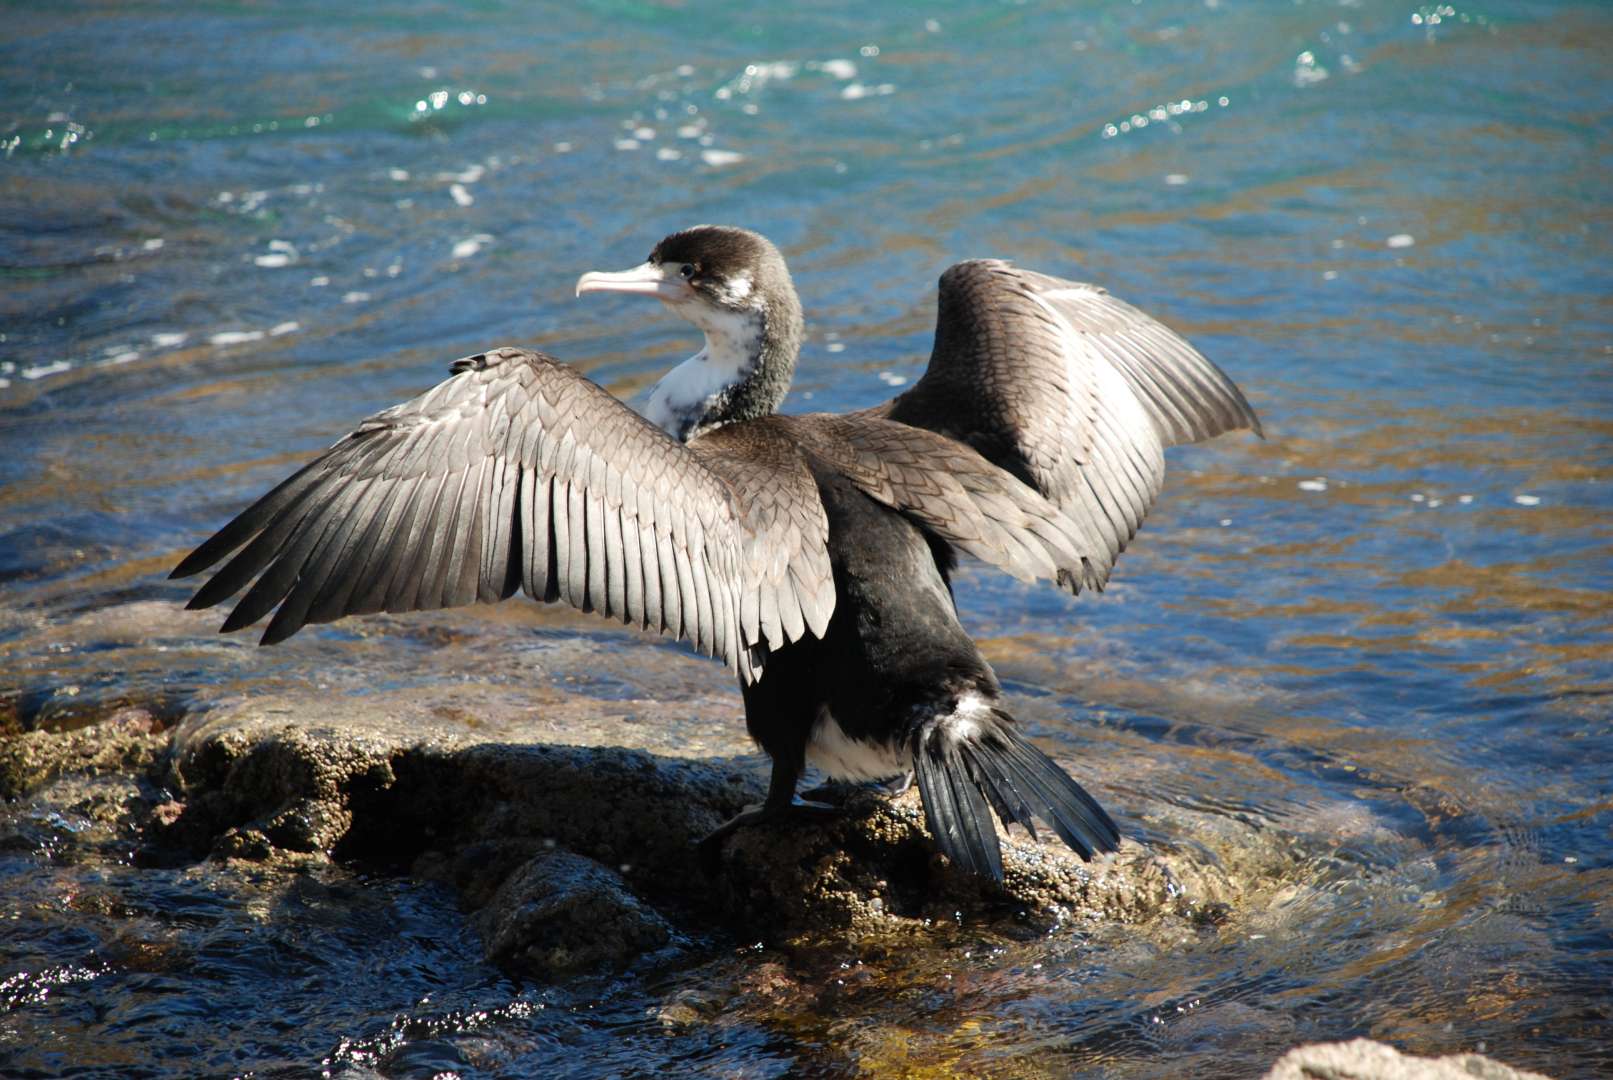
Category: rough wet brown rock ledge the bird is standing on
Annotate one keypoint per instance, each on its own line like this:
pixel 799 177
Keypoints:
pixel 262 783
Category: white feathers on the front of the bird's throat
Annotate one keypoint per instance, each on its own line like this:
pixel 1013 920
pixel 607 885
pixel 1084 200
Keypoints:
pixel 699 388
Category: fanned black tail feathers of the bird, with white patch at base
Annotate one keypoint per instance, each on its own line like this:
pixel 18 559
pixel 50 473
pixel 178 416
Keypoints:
pixel 973 762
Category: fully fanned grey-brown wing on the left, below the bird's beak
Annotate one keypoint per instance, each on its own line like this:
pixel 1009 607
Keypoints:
pixel 520 473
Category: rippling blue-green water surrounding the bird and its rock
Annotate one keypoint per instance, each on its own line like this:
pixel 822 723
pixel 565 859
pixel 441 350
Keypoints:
pixel 231 230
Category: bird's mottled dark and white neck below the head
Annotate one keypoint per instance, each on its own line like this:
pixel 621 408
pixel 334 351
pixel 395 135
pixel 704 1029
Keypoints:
pixel 743 373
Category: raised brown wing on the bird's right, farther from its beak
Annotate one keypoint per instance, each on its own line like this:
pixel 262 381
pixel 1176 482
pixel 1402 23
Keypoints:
pixel 1072 391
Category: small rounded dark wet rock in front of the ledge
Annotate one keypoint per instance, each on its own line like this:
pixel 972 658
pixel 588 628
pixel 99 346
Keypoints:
pixel 562 913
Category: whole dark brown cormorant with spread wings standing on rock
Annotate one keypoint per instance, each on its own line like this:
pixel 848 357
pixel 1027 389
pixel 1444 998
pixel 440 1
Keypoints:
pixel 811 554
